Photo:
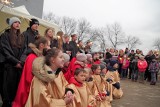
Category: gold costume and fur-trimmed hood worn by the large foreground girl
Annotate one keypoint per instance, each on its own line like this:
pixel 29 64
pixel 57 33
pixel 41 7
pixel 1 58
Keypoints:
pixel 47 89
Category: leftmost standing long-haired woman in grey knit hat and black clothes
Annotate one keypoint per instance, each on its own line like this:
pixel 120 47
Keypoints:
pixel 11 42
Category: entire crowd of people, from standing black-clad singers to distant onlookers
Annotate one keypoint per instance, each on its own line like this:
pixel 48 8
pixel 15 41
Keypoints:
pixel 51 70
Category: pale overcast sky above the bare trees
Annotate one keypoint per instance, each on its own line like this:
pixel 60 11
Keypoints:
pixel 139 18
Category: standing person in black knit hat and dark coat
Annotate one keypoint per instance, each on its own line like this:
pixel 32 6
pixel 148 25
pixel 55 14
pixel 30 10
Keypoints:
pixel 31 34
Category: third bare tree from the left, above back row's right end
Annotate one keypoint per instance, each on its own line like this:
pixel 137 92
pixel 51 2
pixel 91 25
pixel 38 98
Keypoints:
pixel 83 28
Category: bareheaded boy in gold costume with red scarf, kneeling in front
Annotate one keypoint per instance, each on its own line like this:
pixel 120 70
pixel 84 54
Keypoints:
pixel 83 96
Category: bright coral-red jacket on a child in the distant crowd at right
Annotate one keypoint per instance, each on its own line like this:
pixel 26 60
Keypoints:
pixel 142 65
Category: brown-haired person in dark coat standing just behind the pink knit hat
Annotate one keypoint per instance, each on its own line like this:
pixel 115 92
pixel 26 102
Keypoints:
pixel 73 46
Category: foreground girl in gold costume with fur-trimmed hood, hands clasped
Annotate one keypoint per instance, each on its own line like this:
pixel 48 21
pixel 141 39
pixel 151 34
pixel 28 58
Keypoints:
pixel 48 87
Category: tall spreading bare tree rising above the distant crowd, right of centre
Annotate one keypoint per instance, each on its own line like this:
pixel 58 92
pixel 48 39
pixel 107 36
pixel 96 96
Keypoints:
pixel 115 35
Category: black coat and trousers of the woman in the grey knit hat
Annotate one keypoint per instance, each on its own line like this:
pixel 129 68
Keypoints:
pixel 11 74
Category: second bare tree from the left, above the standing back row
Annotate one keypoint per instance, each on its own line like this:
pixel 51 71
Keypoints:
pixel 68 25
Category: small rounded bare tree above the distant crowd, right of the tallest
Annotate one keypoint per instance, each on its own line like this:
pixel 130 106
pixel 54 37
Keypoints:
pixel 132 42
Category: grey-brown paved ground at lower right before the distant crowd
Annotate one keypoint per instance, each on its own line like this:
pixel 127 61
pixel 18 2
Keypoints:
pixel 138 95
